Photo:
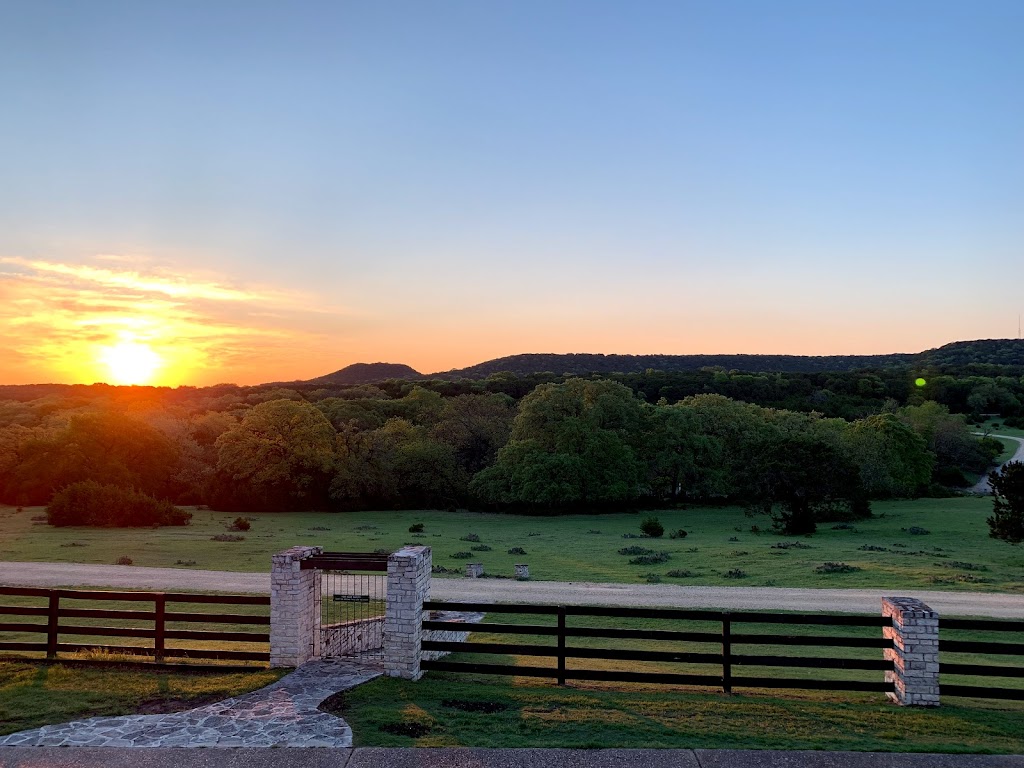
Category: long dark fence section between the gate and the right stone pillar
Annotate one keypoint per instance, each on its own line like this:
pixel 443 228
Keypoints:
pixel 727 639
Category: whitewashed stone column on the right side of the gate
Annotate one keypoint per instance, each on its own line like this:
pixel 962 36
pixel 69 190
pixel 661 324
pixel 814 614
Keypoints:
pixel 408 587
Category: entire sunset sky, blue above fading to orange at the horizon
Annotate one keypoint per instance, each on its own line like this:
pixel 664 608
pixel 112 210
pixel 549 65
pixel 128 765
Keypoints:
pixel 240 191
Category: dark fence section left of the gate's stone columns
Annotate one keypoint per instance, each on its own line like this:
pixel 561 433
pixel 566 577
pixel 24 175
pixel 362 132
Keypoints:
pixel 159 618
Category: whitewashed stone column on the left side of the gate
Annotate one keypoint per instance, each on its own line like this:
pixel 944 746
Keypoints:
pixel 294 608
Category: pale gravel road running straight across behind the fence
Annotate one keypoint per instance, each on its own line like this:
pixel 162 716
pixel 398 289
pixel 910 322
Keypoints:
pixel 494 590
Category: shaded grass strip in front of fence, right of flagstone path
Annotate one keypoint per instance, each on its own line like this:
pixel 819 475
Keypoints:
pixel 534 714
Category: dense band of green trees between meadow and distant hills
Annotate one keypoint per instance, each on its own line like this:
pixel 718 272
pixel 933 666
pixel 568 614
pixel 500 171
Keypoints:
pixel 798 447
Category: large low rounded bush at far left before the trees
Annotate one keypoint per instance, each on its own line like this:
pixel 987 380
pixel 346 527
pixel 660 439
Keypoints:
pixel 92 503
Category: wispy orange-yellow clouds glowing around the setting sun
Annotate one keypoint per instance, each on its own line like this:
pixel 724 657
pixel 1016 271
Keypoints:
pixel 60 317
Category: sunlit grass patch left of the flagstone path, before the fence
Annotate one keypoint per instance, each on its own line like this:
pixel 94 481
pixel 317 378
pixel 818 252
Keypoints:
pixel 32 696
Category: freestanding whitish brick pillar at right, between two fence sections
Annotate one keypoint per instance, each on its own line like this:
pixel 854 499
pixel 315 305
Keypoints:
pixel 915 654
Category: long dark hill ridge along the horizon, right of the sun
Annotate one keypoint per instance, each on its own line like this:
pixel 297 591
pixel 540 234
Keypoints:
pixel 983 353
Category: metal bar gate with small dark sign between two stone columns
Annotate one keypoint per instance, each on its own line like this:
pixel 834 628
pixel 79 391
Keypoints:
pixel 353 601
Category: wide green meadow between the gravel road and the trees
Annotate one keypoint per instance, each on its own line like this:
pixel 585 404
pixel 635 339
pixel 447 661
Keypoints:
pixel 723 546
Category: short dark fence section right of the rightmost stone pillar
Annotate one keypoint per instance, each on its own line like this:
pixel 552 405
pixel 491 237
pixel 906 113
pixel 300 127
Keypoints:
pixel 948 647
